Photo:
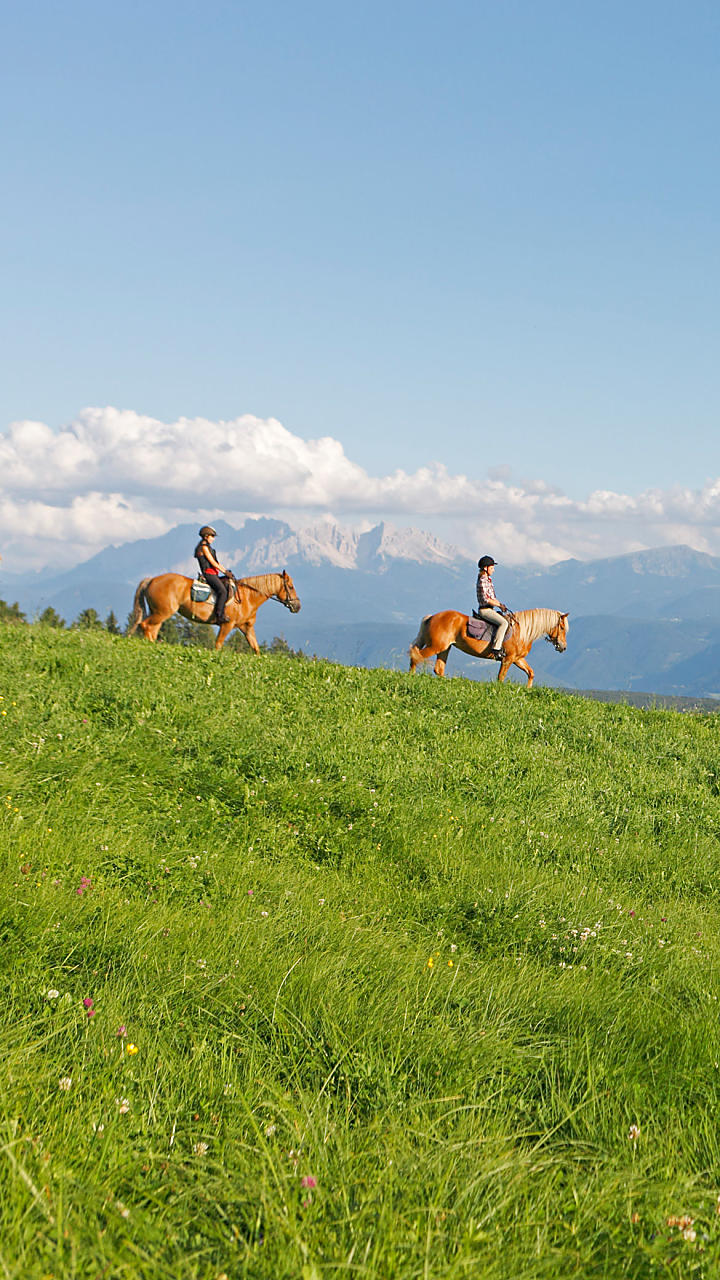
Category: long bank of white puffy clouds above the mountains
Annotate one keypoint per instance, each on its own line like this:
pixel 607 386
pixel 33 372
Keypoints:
pixel 115 476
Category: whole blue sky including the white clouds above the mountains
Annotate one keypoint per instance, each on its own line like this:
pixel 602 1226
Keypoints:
pixel 454 267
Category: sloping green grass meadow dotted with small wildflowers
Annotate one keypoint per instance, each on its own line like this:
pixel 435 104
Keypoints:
pixel 315 972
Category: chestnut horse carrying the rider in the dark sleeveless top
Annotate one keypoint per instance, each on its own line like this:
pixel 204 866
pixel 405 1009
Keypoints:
pixel 170 593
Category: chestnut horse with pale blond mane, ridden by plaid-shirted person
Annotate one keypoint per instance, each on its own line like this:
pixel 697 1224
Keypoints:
pixel 440 632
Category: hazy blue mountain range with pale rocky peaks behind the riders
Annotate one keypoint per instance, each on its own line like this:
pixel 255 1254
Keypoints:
pixel 649 621
